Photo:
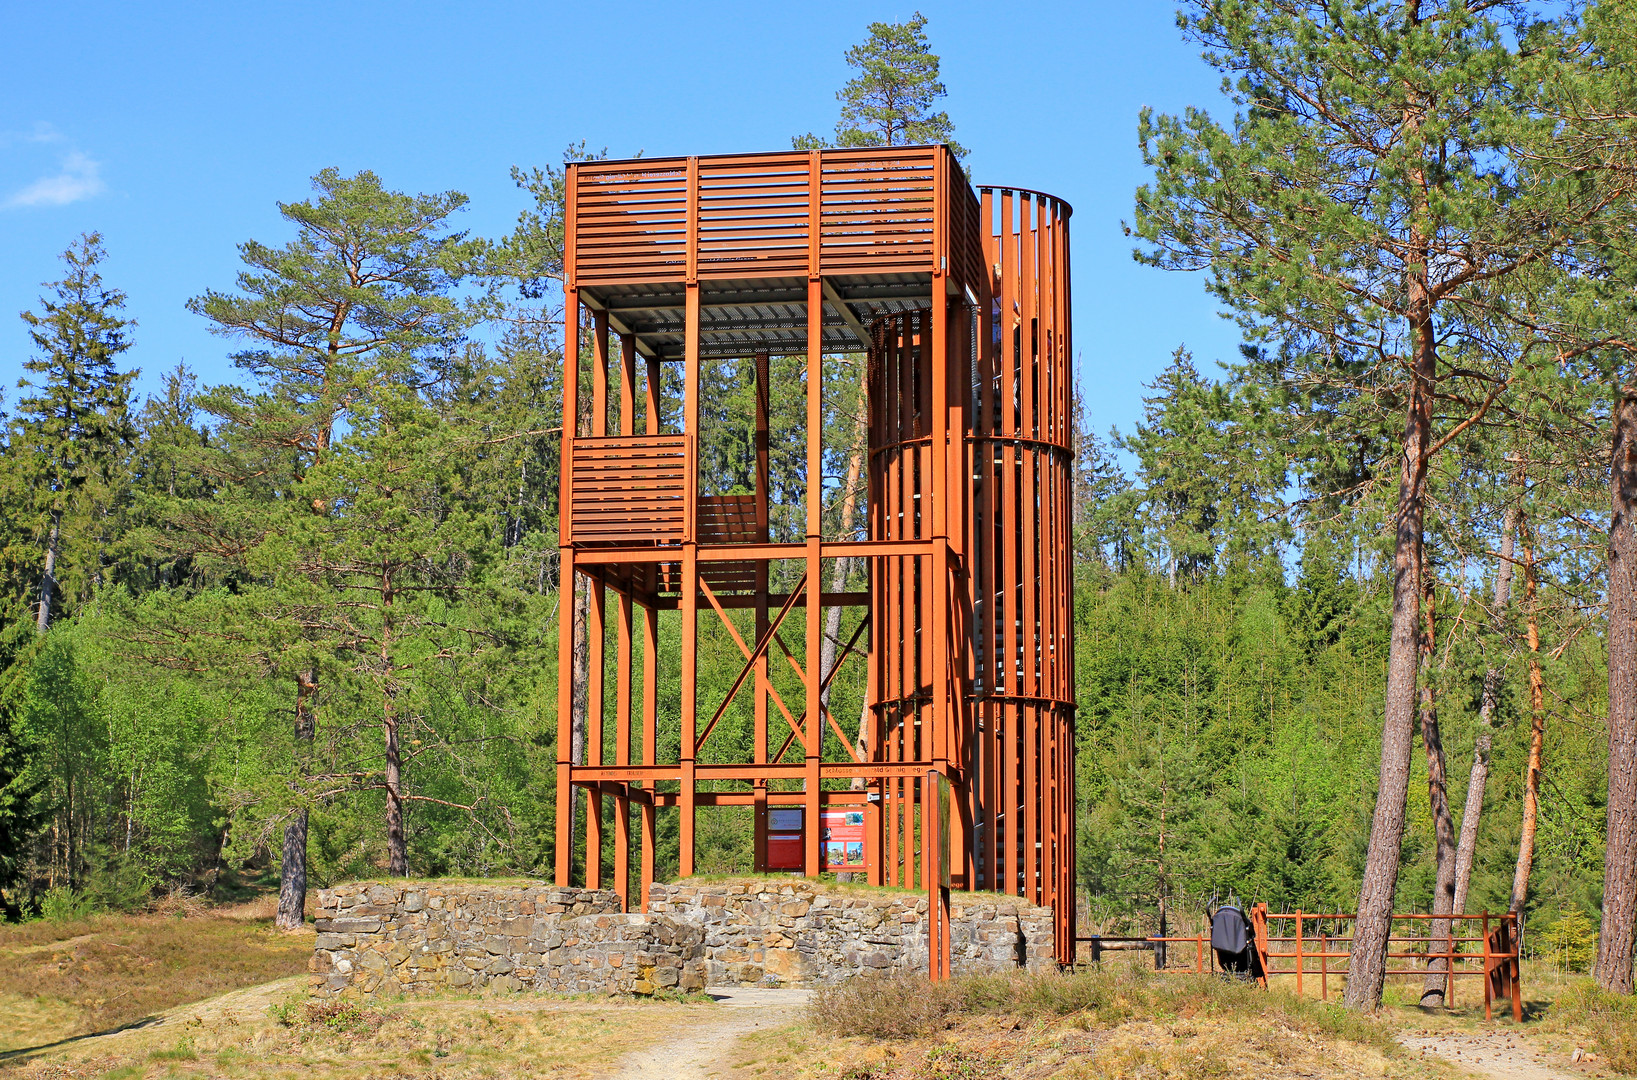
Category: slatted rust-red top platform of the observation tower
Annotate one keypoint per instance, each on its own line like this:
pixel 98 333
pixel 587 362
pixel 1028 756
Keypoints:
pixel 751 230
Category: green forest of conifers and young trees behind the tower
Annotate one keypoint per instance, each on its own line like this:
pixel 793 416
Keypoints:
pixel 228 606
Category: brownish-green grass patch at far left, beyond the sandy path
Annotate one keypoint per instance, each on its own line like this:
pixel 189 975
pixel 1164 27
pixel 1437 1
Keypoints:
pixel 76 978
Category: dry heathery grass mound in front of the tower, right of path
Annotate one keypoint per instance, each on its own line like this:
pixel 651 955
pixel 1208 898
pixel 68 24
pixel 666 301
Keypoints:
pixel 1111 1024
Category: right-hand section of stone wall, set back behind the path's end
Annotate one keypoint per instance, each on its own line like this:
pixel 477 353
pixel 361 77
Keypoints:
pixel 801 934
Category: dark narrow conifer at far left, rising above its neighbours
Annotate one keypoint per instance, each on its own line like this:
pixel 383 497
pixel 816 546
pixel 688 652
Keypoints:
pixel 73 433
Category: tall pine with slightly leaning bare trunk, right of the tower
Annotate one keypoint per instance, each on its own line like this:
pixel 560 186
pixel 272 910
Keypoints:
pixel 1368 205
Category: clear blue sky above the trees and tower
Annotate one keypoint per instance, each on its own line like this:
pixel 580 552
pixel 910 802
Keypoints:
pixel 174 128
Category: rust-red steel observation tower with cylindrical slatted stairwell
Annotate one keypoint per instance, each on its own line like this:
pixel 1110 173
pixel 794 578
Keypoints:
pixel 958 770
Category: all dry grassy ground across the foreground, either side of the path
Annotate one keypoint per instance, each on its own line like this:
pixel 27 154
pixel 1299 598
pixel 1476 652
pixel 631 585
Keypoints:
pixel 219 994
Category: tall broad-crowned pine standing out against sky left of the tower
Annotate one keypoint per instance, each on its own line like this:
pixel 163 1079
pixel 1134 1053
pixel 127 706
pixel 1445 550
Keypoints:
pixel 356 310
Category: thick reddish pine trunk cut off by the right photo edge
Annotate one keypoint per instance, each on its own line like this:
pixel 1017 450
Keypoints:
pixel 1620 860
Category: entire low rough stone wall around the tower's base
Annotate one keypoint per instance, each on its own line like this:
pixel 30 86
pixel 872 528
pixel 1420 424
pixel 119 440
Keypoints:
pixel 418 937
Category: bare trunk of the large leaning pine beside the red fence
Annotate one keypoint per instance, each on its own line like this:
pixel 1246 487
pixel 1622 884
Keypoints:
pixel 1368 965
